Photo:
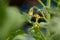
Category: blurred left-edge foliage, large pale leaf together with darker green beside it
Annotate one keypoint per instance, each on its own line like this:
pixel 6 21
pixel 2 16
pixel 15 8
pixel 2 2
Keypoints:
pixel 10 19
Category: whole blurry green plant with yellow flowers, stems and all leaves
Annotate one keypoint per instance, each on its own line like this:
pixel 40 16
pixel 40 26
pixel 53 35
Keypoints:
pixel 11 22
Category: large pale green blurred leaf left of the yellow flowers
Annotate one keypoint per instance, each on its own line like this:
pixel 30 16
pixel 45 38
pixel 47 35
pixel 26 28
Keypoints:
pixel 13 20
